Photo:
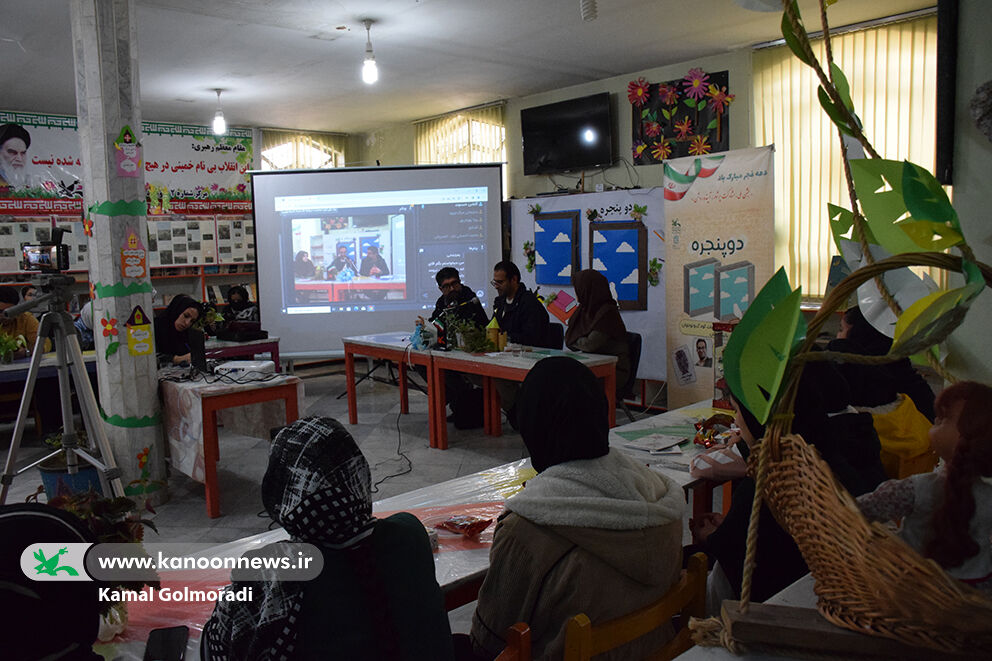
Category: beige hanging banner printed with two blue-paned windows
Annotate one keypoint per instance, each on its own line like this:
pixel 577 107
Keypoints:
pixel 720 216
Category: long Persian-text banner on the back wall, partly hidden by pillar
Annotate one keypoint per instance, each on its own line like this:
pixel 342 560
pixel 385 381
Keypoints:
pixel 188 170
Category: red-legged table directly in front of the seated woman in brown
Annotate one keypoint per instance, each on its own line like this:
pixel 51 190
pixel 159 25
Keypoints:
pixel 511 367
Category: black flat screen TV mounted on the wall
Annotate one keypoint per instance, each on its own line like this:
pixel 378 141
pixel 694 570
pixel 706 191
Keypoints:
pixel 569 135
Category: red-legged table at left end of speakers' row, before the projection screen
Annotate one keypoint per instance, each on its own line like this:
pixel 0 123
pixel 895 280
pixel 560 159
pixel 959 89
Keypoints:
pixel 388 346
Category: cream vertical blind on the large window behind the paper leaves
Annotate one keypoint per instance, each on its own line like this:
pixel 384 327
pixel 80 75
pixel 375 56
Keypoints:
pixel 892 72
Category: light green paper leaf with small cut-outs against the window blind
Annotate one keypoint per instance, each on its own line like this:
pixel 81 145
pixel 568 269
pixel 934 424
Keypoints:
pixel 883 209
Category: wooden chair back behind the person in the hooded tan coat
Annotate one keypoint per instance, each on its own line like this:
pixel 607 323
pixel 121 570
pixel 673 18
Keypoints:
pixel 687 598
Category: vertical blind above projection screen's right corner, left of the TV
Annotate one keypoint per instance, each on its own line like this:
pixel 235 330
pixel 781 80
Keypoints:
pixel 467 136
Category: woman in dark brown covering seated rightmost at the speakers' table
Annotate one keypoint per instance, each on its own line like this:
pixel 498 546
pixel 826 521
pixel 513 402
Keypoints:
pixel 596 326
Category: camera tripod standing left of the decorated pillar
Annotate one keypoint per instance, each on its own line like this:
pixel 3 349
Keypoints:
pixel 57 324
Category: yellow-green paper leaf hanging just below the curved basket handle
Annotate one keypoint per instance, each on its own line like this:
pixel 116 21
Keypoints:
pixel 931 319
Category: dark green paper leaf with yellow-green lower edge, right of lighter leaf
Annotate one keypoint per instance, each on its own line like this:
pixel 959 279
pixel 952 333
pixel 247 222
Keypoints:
pixel 934 224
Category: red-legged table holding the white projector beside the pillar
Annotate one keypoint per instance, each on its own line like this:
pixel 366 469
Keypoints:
pixel 190 418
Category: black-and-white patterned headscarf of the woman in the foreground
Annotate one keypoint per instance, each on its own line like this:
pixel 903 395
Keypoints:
pixel 317 486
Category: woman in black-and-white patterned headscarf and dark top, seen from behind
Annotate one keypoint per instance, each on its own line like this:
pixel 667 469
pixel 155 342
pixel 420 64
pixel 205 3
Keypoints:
pixel 376 597
